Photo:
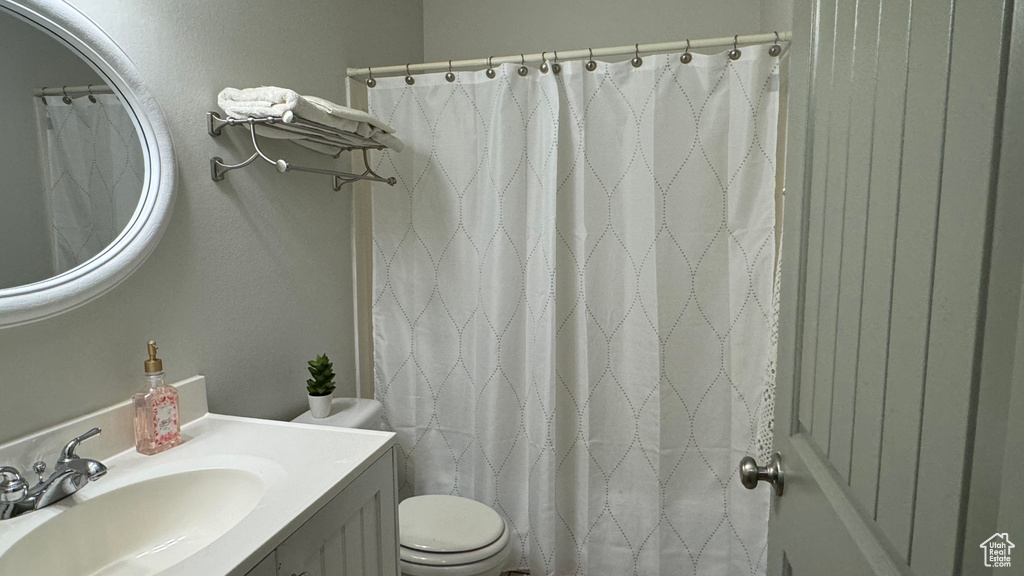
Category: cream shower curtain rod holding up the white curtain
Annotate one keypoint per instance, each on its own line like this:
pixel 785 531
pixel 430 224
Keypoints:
pixel 563 56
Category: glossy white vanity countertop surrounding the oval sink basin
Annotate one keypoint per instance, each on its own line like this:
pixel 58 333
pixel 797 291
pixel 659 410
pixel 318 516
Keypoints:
pixel 303 467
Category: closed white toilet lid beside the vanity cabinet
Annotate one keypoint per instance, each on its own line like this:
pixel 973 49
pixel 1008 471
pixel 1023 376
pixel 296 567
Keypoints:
pixel 447 524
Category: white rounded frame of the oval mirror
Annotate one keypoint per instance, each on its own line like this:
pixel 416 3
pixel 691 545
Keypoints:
pixel 50 298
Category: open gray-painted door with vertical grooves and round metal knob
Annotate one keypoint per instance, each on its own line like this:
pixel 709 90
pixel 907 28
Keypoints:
pixel 901 290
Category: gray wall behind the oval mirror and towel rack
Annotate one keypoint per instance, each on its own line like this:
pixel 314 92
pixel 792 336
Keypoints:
pixel 252 277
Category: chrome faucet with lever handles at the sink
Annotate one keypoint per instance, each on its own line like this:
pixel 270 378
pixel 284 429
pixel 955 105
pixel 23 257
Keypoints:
pixel 70 474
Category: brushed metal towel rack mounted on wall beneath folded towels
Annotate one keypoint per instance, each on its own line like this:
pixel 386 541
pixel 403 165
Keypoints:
pixel 297 130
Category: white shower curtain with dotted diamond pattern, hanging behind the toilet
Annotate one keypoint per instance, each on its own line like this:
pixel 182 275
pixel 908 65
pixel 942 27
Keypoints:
pixel 573 294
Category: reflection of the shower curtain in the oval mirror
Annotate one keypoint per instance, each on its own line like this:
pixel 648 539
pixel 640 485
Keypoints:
pixel 94 168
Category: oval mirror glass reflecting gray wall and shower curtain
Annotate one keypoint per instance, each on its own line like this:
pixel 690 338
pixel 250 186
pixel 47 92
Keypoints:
pixel 72 167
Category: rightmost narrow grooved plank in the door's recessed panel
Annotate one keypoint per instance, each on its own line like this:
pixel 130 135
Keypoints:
pixel 919 200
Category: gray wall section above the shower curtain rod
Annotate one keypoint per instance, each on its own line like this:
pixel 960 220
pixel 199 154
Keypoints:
pixel 473 29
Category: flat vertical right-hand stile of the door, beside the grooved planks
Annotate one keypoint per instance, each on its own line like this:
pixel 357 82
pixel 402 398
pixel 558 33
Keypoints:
pixel 961 273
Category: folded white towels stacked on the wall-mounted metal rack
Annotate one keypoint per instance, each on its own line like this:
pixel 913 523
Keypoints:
pixel 272 101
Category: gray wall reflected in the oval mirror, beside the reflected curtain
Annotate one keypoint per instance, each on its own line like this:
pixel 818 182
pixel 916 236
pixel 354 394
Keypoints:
pixel 38 61
